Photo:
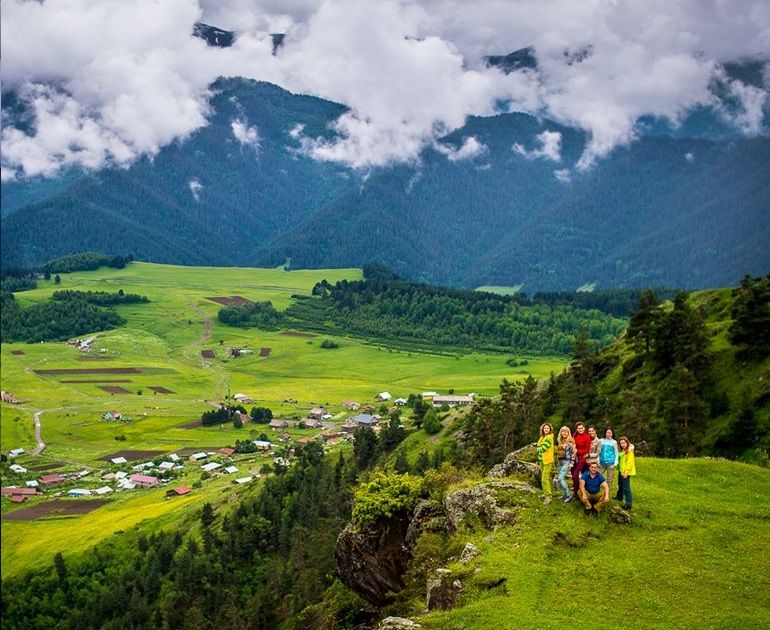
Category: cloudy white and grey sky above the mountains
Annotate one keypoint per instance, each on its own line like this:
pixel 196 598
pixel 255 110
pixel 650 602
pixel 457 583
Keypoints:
pixel 108 81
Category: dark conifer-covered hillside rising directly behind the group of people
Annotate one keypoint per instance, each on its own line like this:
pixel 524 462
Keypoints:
pixel 687 379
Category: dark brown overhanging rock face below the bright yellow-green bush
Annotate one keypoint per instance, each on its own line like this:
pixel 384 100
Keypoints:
pixel 372 560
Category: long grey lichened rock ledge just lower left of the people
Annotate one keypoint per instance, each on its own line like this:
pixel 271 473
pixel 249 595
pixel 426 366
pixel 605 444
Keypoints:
pixel 482 502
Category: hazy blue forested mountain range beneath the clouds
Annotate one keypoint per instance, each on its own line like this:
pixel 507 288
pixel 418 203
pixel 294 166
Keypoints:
pixel 687 206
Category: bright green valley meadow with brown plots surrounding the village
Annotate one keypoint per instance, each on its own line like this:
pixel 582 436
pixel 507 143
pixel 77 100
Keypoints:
pixel 164 339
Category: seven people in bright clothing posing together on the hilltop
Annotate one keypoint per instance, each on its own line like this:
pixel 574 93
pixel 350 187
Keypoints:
pixel 591 461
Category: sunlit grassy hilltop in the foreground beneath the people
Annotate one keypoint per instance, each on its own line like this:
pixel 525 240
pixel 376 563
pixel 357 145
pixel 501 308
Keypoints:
pixel 696 555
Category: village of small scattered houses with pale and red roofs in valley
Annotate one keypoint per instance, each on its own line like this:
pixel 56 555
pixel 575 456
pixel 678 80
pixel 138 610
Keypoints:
pixel 186 470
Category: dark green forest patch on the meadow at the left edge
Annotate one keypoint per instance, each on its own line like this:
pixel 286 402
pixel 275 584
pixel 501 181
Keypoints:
pixel 67 314
